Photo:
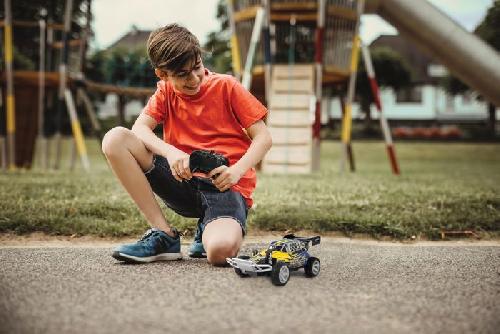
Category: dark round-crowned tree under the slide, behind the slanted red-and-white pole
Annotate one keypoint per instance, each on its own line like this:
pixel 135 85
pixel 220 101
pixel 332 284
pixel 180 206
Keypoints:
pixel 391 71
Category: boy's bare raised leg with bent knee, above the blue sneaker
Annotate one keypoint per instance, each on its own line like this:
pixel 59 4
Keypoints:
pixel 129 158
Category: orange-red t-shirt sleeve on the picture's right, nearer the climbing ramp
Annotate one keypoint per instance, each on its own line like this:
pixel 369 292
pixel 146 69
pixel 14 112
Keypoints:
pixel 245 106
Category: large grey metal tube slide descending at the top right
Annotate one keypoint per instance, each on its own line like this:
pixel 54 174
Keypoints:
pixel 465 55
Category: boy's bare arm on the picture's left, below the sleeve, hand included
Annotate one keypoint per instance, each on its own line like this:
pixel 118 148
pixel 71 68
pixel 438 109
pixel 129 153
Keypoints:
pixel 177 159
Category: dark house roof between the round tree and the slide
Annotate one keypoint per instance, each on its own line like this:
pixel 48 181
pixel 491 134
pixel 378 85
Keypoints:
pixel 416 59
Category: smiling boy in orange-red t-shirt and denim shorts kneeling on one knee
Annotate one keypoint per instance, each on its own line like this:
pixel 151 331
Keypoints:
pixel 198 110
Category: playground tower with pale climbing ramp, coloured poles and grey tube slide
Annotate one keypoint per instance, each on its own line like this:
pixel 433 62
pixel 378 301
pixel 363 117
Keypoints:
pixel 310 44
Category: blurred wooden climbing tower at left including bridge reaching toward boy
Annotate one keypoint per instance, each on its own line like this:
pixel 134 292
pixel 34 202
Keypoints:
pixel 58 86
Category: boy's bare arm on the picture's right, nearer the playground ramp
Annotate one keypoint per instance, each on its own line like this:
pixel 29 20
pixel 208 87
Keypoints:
pixel 261 143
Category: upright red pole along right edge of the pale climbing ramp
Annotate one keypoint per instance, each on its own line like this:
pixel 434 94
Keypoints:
pixel 319 85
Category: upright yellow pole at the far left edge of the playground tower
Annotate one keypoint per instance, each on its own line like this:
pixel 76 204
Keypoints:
pixel 11 110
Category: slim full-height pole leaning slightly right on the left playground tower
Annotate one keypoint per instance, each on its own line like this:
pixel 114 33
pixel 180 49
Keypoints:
pixel 62 80
